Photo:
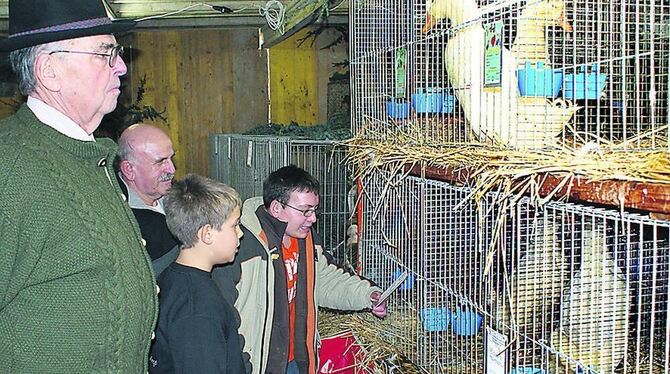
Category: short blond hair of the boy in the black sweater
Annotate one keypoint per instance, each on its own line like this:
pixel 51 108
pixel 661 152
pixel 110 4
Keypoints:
pixel 196 201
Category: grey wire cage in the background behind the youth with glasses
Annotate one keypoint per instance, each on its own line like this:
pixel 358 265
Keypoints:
pixel 244 161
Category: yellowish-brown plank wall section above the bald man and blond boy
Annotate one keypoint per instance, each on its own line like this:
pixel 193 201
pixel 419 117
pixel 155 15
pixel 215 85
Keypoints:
pixel 208 81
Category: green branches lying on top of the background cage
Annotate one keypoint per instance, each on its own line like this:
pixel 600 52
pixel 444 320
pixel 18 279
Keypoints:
pixel 337 128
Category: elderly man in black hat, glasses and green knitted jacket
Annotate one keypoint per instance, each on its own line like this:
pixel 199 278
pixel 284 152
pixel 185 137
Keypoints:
pixel 77 293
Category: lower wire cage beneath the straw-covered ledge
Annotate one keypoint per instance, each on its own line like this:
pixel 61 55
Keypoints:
pixel 508 287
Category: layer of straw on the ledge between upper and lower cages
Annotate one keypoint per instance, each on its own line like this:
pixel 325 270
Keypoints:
pixel 510 172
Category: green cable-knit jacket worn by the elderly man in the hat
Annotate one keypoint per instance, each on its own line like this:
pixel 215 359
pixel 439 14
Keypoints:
pixel 77 293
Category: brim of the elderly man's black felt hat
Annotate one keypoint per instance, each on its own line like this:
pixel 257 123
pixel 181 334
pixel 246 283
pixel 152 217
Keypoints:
pixel 29 40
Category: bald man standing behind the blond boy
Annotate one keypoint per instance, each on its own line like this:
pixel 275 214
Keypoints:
pixel 145 171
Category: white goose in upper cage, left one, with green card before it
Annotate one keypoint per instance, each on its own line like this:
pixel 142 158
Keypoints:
pixel 497 115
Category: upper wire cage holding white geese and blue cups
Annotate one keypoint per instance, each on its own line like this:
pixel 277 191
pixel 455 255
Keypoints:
pixel 570 71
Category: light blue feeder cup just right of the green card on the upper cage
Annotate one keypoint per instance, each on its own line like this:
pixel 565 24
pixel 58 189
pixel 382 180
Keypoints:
pixel 539 81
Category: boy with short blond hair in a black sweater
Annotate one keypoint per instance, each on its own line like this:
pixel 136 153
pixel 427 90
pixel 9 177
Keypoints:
pixel 197 328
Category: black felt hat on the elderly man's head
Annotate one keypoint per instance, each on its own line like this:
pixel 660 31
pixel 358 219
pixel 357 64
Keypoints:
pixel 33 22
